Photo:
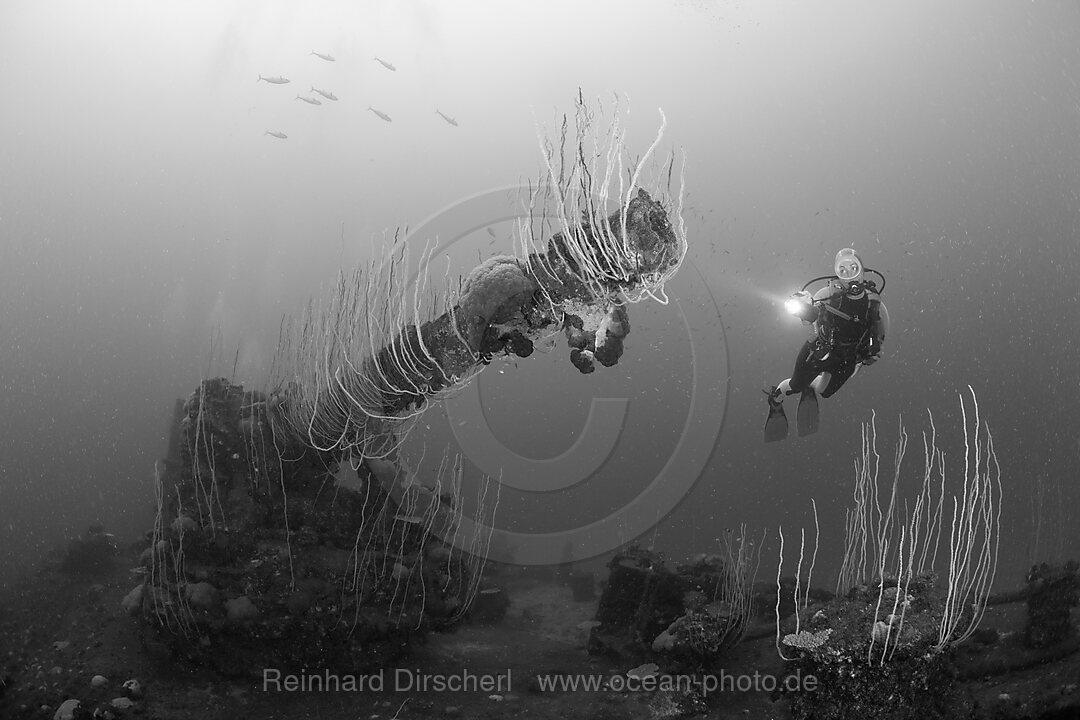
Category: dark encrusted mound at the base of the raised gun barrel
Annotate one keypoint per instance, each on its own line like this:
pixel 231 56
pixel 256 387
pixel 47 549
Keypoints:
pixel 261 558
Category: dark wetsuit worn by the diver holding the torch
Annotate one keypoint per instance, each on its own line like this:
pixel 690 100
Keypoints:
pixel 841 343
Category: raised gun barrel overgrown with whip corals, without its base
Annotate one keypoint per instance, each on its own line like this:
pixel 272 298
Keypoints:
pixel 360 366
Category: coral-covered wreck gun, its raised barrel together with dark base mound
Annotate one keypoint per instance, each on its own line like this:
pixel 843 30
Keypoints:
pixel 290 531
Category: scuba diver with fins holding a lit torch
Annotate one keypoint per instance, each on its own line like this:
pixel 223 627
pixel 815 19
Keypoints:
pixel 850 324
